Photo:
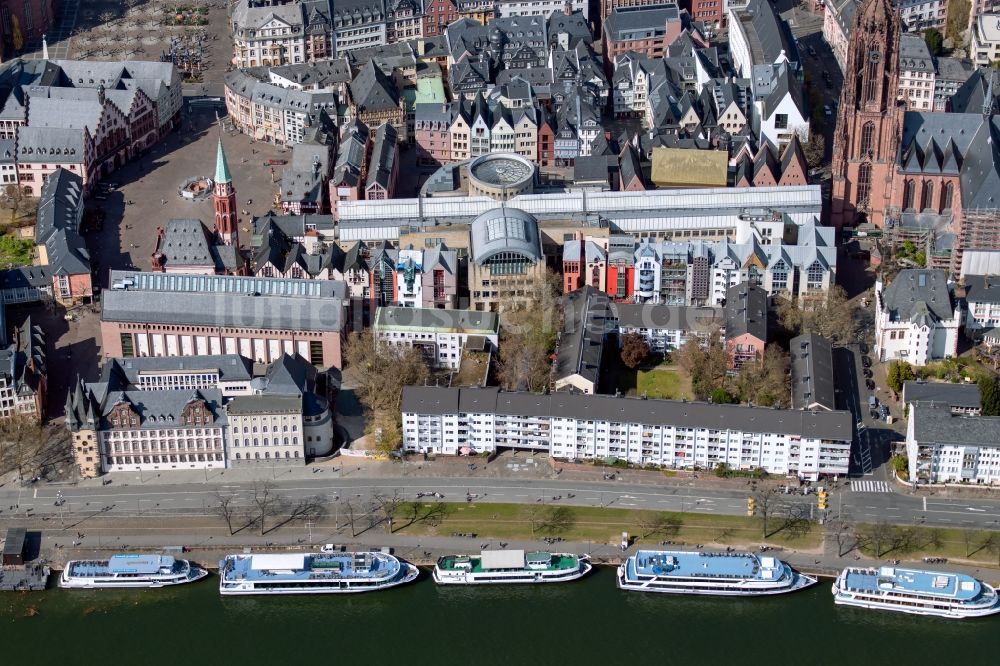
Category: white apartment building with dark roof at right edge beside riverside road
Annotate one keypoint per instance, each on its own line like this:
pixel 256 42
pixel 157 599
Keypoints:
pixel 944 447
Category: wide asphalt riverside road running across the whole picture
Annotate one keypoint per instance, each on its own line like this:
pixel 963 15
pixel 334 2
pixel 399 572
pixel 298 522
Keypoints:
pixel 197 499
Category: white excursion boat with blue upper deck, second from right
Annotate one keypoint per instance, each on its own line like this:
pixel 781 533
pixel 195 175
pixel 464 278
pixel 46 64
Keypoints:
pixel 709 573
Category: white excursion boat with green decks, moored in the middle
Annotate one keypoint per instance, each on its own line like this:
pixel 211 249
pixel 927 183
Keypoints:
pixel 510 566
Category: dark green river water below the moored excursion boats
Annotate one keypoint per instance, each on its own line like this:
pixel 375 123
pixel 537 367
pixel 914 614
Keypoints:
pixel 585 622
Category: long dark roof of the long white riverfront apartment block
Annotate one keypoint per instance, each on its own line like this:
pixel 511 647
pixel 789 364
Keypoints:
pixel 432 400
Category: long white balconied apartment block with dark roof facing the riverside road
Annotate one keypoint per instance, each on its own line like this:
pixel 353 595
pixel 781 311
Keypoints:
pixel 674 434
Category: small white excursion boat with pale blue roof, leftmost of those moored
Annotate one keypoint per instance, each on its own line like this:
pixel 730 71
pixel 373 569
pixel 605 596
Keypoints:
pixel 129 570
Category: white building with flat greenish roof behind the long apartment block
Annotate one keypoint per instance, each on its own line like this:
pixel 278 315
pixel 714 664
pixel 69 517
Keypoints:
pixel 441 334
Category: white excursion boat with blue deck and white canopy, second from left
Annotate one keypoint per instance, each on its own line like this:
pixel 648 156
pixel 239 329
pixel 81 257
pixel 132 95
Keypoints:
pixel 312 573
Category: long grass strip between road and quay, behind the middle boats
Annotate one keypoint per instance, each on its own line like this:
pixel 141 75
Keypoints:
pixel 528 521
